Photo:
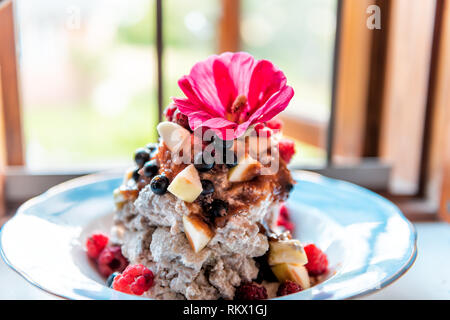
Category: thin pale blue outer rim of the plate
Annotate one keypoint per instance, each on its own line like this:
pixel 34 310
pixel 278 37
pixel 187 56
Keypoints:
pixel 300 176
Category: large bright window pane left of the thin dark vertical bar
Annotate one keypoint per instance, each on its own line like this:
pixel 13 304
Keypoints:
pixel 87 80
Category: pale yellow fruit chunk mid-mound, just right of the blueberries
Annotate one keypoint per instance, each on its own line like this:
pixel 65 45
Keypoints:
pixel 186 185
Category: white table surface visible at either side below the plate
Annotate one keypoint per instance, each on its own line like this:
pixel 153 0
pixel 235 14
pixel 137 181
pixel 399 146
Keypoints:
pixel 429 277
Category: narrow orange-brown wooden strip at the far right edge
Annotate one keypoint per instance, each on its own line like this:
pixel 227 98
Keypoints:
pixel 436 164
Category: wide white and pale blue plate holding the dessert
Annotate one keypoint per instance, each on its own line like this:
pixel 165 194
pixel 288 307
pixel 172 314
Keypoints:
pixel 368 241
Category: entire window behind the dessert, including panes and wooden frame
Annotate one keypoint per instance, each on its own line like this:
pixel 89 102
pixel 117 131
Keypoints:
pixel 371 105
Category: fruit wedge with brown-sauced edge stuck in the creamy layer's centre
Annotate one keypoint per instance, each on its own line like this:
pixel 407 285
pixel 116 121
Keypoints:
pixel 197 232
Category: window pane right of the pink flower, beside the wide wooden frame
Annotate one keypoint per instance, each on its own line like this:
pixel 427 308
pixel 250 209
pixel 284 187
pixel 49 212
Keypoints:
pixel 298 37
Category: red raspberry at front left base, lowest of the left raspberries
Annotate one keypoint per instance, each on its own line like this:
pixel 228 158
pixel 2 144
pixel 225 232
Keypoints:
pixel 136 279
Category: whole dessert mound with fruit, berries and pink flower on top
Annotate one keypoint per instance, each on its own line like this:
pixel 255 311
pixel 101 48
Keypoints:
pixel 202 214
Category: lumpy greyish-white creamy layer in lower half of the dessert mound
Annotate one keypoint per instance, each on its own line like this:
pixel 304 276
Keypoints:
pixel 151 232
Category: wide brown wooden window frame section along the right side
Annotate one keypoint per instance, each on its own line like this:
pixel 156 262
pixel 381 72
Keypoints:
pixel 388 118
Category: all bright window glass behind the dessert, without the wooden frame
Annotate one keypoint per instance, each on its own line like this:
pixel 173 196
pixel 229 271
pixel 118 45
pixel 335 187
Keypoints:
pixel 97 60
